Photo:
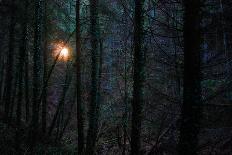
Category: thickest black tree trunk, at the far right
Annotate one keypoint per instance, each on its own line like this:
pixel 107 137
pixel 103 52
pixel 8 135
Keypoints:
pixel 191 108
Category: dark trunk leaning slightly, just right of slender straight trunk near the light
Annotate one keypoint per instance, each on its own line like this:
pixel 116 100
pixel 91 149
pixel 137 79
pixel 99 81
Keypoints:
pixel 94 110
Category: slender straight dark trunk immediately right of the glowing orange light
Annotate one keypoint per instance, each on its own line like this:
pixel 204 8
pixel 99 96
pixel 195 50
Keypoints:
pixel 80 118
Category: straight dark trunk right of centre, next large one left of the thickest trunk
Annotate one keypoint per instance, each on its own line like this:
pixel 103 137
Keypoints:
pixel 138 78
